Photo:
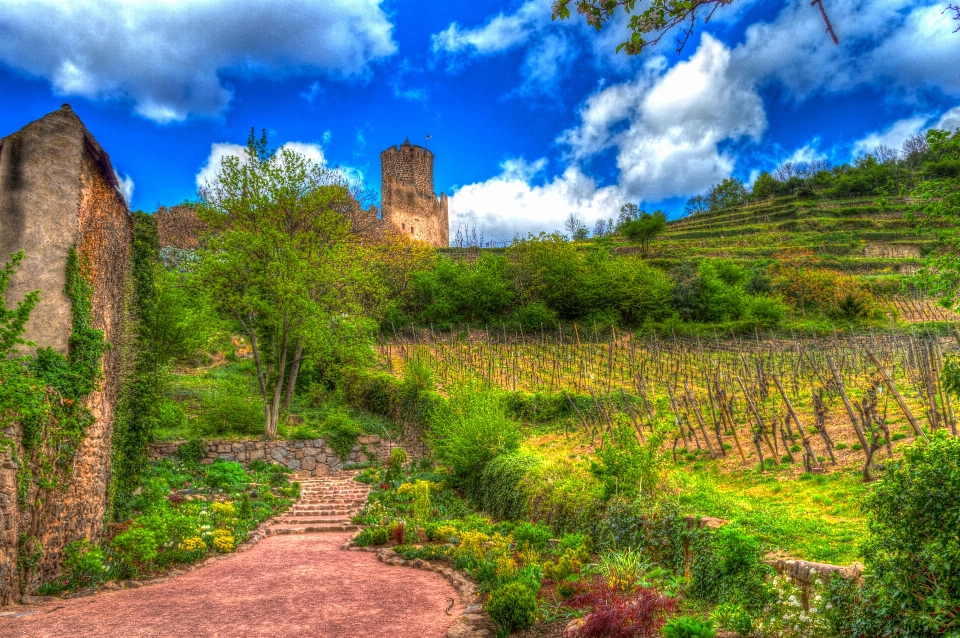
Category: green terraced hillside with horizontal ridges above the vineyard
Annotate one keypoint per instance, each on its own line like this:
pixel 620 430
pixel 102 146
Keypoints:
pixel 857 236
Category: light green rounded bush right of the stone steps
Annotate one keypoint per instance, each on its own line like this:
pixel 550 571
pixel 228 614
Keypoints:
pixel 472 430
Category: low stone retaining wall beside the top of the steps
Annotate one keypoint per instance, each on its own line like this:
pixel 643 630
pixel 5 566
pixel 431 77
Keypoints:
pixel 308 457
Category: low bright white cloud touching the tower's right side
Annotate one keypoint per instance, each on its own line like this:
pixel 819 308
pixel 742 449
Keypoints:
pixel 508 205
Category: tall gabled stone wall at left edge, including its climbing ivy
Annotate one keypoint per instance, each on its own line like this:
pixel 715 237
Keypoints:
pixel 57 407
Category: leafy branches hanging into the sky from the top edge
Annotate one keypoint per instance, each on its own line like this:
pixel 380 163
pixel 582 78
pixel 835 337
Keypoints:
pixel 659 18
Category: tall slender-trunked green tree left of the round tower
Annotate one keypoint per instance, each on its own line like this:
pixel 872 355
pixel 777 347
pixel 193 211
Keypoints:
pixel 281 262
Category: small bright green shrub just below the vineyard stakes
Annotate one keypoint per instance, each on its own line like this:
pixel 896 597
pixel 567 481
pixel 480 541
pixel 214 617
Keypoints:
pixel 625 467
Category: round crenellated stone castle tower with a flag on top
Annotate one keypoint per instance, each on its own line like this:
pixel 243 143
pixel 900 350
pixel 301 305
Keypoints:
pixel 409 204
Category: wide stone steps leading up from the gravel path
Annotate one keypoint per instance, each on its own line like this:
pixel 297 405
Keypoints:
pixel 326 505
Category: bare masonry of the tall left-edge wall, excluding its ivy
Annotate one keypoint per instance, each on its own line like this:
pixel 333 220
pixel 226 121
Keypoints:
pixel 58 191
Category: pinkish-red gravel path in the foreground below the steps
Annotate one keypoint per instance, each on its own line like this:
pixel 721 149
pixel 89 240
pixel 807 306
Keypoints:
pixel 298 585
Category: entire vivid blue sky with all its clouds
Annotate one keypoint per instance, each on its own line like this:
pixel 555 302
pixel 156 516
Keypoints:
pixel 530 119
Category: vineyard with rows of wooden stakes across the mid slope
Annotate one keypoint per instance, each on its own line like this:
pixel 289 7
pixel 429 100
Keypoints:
pixel 819 403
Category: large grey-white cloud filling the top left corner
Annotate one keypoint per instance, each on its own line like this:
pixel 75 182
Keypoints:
pixel 166 57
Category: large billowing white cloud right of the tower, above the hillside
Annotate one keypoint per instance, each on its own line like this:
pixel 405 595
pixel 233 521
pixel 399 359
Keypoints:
pixel 667 126
